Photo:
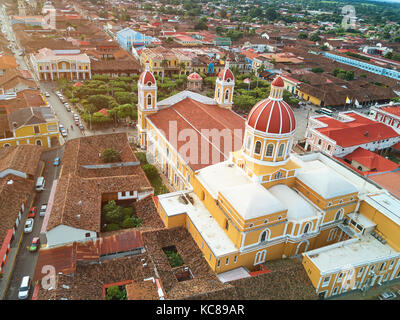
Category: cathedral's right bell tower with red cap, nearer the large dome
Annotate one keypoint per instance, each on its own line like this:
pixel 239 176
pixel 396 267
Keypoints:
pixel 224 86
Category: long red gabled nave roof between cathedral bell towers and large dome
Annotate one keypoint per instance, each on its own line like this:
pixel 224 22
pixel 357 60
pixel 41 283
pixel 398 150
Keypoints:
pixel 191 114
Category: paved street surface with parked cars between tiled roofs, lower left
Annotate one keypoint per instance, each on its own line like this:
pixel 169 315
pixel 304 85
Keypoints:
pixel 26 261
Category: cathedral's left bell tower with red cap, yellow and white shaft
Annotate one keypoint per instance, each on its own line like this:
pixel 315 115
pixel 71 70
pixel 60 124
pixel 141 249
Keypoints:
pixel 147 102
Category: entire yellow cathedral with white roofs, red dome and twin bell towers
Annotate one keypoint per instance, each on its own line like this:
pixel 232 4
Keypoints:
pixel 257 200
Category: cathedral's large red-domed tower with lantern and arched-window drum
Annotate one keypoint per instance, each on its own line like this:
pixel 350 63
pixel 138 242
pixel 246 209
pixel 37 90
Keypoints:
pixel 268 137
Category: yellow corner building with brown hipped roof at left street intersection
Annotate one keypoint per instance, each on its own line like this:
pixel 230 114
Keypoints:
pixel 34 125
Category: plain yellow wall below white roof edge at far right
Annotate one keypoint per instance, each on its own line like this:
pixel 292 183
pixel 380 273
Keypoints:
pixel 384 225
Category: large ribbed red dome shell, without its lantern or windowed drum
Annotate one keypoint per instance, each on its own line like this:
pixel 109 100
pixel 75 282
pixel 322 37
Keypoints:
pixel 272 116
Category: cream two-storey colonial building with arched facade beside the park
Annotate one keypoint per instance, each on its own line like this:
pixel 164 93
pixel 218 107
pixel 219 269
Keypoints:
pixel 61 64
